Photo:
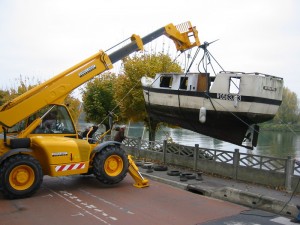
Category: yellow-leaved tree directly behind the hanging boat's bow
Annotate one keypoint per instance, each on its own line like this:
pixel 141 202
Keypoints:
pixel 128 91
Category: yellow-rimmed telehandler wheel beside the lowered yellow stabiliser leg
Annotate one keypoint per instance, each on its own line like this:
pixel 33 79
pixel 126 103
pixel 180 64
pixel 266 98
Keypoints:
pixel 110 165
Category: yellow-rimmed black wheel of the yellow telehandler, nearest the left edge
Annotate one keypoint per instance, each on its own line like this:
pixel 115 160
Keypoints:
pixel 20 176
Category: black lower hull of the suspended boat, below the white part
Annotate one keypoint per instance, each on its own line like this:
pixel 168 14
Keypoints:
pixel 221 125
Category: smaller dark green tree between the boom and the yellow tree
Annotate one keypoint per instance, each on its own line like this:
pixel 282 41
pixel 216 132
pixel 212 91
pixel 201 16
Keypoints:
pixel 98 98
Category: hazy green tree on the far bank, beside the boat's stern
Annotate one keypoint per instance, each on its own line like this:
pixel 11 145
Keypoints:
pixel 288 112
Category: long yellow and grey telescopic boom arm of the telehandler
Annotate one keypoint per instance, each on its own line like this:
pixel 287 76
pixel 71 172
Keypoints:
pixel 57 88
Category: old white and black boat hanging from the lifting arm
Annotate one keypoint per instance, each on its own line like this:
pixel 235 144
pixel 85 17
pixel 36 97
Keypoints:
pixel 210 106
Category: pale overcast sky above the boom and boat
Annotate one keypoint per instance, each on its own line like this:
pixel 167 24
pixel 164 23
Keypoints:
pixel 41 38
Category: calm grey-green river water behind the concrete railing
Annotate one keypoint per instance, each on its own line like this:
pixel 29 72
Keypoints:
pixel 270 143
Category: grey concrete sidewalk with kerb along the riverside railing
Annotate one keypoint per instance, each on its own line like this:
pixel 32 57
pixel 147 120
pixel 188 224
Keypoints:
pixel 253 196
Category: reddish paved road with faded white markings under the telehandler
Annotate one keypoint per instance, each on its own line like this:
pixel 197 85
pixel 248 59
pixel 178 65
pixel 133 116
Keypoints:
pixel 83 200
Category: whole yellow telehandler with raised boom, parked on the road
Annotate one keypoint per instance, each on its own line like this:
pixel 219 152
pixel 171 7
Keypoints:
pixel 38 136
